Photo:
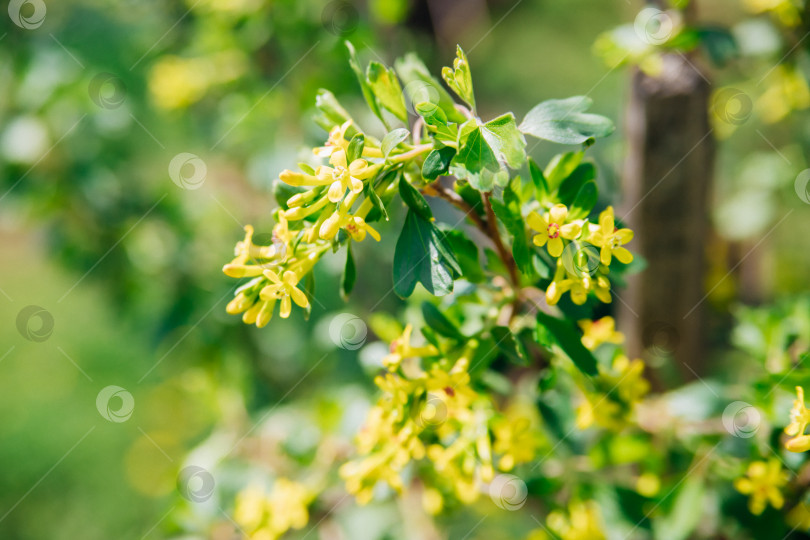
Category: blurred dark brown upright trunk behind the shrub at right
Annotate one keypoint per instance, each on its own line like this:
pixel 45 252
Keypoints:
pixel 666 186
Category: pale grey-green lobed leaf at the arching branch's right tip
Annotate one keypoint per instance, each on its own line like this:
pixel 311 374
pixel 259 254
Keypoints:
pixel 565 121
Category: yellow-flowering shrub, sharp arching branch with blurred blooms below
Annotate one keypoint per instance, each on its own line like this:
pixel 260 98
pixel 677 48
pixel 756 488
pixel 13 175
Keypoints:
pixel 458 407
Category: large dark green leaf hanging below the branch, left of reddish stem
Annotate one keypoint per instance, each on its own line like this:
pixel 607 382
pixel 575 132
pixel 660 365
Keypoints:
pixel 423 255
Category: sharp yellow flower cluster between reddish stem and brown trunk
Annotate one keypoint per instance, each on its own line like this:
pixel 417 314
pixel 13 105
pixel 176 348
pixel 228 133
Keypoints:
pixel 574 243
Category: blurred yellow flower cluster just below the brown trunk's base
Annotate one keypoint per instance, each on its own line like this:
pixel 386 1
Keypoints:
pixel 612 403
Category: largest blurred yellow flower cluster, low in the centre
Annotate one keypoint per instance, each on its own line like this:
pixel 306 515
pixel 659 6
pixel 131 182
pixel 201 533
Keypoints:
pixel 429 410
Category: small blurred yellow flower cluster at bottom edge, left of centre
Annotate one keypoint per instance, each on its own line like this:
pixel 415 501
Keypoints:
pixel 268 516
